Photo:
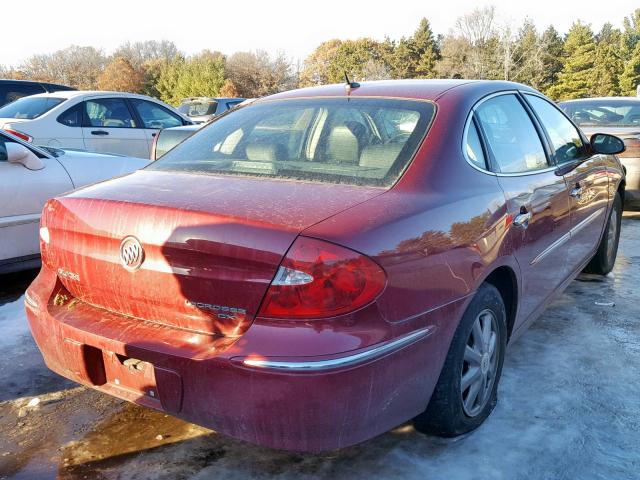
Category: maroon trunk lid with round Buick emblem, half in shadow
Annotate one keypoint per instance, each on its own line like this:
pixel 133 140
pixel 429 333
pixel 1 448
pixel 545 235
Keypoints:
pixel 211 244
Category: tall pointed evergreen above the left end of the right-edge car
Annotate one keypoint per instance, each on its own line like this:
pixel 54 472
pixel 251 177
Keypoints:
pixel 576 79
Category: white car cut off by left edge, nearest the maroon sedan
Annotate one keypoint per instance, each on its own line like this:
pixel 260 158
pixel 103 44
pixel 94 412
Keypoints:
pixel 29 176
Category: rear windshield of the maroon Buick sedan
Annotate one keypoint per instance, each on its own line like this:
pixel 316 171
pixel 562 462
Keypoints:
pixel 361 141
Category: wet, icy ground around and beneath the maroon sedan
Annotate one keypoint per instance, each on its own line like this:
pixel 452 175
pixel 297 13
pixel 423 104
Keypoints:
pixel 569 408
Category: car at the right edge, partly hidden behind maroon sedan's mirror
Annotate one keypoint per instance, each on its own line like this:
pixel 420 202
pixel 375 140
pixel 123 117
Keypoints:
pixel 618 116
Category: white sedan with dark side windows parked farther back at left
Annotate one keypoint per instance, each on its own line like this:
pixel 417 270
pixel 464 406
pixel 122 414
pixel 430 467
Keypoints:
pixel 106 122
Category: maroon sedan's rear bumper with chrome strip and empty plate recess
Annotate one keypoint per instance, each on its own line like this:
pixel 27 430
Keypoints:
pixel 305 403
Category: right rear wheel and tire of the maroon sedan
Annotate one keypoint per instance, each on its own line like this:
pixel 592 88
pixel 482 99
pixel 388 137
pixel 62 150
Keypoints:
pixel 451 411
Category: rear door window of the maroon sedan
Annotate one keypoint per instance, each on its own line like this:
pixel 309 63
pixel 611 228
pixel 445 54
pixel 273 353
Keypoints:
pixel 511 135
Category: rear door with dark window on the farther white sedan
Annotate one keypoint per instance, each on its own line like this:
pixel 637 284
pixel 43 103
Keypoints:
pixel 109 126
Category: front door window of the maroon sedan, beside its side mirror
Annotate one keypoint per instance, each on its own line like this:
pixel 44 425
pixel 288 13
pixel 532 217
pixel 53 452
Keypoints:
pixel 564 136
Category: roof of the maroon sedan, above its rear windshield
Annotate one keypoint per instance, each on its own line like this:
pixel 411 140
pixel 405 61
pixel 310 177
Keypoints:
pixel 409 89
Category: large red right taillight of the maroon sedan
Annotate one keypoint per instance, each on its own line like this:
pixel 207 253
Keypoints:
pixel 319 279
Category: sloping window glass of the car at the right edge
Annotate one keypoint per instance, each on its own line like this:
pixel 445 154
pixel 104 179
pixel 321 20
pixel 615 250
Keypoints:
pixel 604 113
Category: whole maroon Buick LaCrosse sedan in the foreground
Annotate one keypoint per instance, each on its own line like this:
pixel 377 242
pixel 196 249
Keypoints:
pixel 325 264
